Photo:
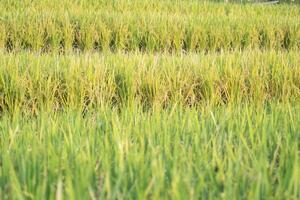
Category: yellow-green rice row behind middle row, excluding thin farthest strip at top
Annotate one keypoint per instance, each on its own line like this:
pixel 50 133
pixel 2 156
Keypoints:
pixel 113 31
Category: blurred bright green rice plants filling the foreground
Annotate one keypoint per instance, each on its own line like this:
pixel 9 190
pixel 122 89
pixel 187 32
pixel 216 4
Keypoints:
pixel 232 153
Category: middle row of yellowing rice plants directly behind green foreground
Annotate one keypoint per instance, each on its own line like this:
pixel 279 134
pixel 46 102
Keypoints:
pixel 30 83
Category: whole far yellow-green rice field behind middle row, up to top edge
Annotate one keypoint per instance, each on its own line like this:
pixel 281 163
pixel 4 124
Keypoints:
pixel 151 26
